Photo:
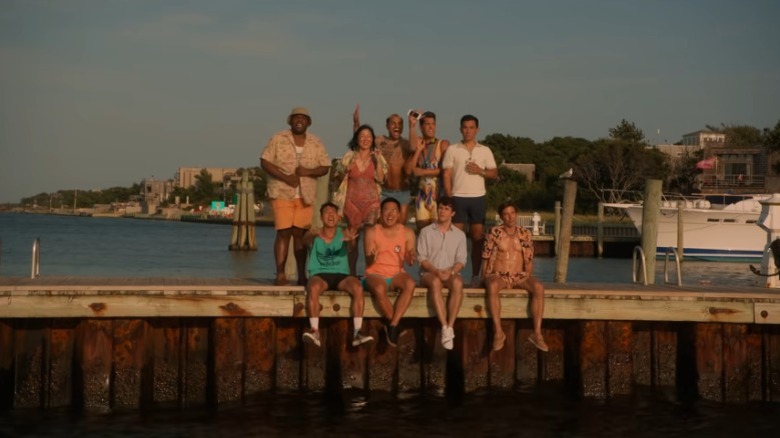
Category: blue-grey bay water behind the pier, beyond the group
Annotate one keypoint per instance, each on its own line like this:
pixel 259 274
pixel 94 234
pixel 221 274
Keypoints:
pixel 84 246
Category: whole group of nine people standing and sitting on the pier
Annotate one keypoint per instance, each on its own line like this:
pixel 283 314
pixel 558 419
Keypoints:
pixel 374 184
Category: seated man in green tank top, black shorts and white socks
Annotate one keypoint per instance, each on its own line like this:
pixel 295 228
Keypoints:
pixel 328 269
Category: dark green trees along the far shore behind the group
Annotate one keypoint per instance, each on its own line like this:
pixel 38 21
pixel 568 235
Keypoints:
pixel 621 160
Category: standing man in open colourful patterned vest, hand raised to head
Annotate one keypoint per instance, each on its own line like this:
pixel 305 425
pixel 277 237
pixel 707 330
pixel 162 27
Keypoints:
pixel 425 164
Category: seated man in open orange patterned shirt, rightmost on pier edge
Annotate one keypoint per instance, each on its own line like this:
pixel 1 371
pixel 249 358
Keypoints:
pixel 507 263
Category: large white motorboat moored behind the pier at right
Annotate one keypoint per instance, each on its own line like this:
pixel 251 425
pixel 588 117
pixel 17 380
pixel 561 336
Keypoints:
pixel 715 227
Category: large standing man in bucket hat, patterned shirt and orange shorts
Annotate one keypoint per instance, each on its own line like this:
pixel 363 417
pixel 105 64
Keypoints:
pixel 293 160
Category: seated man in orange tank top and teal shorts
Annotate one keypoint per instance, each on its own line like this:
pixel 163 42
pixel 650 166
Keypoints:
pixel 387 245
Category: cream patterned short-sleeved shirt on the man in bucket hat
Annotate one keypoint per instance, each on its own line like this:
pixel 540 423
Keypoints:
pixel 280 151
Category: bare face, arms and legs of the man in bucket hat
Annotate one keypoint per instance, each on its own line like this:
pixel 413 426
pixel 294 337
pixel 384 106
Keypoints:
pixel 298 125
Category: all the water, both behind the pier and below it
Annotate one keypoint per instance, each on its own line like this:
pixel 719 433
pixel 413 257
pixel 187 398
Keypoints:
pixel 125 247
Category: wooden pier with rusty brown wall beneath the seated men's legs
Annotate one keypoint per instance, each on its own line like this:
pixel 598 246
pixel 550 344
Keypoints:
pixel 102 343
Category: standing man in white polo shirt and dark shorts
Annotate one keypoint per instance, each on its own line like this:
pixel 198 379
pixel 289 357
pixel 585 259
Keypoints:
pixel 466 166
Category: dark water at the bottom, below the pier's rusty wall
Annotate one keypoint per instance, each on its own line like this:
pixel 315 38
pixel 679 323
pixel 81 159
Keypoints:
pixel 544 412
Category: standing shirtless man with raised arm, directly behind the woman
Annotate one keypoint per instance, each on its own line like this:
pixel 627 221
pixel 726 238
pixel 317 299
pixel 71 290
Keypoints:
pixel 396 151
